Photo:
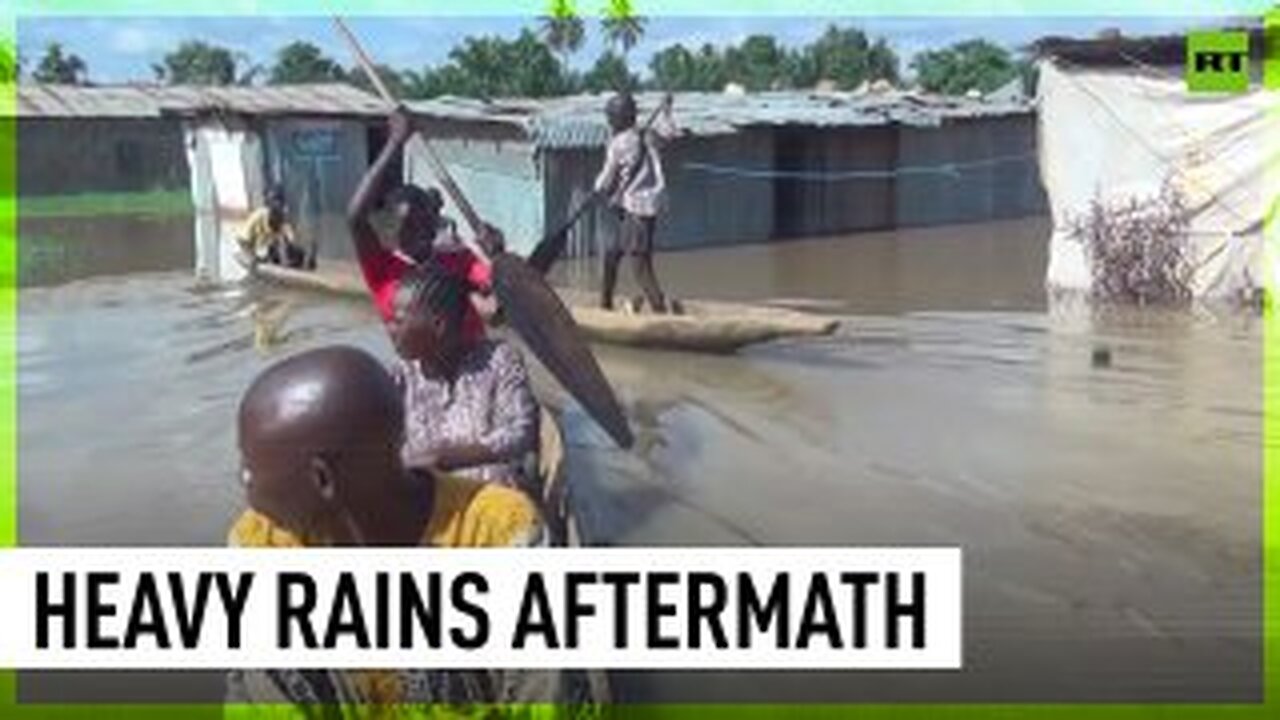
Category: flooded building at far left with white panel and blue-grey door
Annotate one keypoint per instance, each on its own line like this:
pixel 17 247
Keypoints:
pixel 223 145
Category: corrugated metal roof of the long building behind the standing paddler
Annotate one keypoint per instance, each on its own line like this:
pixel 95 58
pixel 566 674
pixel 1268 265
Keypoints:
pixel 579 121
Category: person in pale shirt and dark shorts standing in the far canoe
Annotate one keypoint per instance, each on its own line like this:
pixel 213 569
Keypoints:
pixel 633 181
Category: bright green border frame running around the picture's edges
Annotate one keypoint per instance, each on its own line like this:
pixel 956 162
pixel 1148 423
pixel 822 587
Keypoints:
pixel 15 10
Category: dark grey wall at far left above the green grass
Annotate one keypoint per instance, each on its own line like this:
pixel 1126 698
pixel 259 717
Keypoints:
pixel 60 157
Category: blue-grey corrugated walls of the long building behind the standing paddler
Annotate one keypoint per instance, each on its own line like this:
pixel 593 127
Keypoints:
pixel 904 177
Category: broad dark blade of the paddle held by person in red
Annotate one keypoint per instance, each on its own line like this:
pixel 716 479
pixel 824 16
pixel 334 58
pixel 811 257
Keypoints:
pixel 545 323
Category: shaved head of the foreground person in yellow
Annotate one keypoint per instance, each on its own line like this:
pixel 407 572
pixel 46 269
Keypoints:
pixel 321 436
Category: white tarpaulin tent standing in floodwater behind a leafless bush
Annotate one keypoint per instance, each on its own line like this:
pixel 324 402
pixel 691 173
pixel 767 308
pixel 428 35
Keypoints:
pixel 1116 134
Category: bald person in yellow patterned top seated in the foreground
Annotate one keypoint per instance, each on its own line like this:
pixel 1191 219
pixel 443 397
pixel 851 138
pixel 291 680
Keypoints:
pixel 319 440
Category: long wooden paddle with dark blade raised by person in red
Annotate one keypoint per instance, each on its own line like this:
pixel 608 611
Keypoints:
pixel 532 307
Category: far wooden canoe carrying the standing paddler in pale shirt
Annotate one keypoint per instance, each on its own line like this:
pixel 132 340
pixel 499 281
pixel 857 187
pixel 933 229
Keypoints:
pixel 703 327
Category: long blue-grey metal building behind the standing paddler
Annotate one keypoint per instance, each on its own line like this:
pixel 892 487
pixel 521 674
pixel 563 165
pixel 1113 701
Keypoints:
pixel 749 168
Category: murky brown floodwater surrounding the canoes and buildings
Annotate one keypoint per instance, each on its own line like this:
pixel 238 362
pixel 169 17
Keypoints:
pixel 1109 514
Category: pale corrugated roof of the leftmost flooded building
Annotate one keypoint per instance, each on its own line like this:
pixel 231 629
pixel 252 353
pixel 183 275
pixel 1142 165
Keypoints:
pixel 153 101
